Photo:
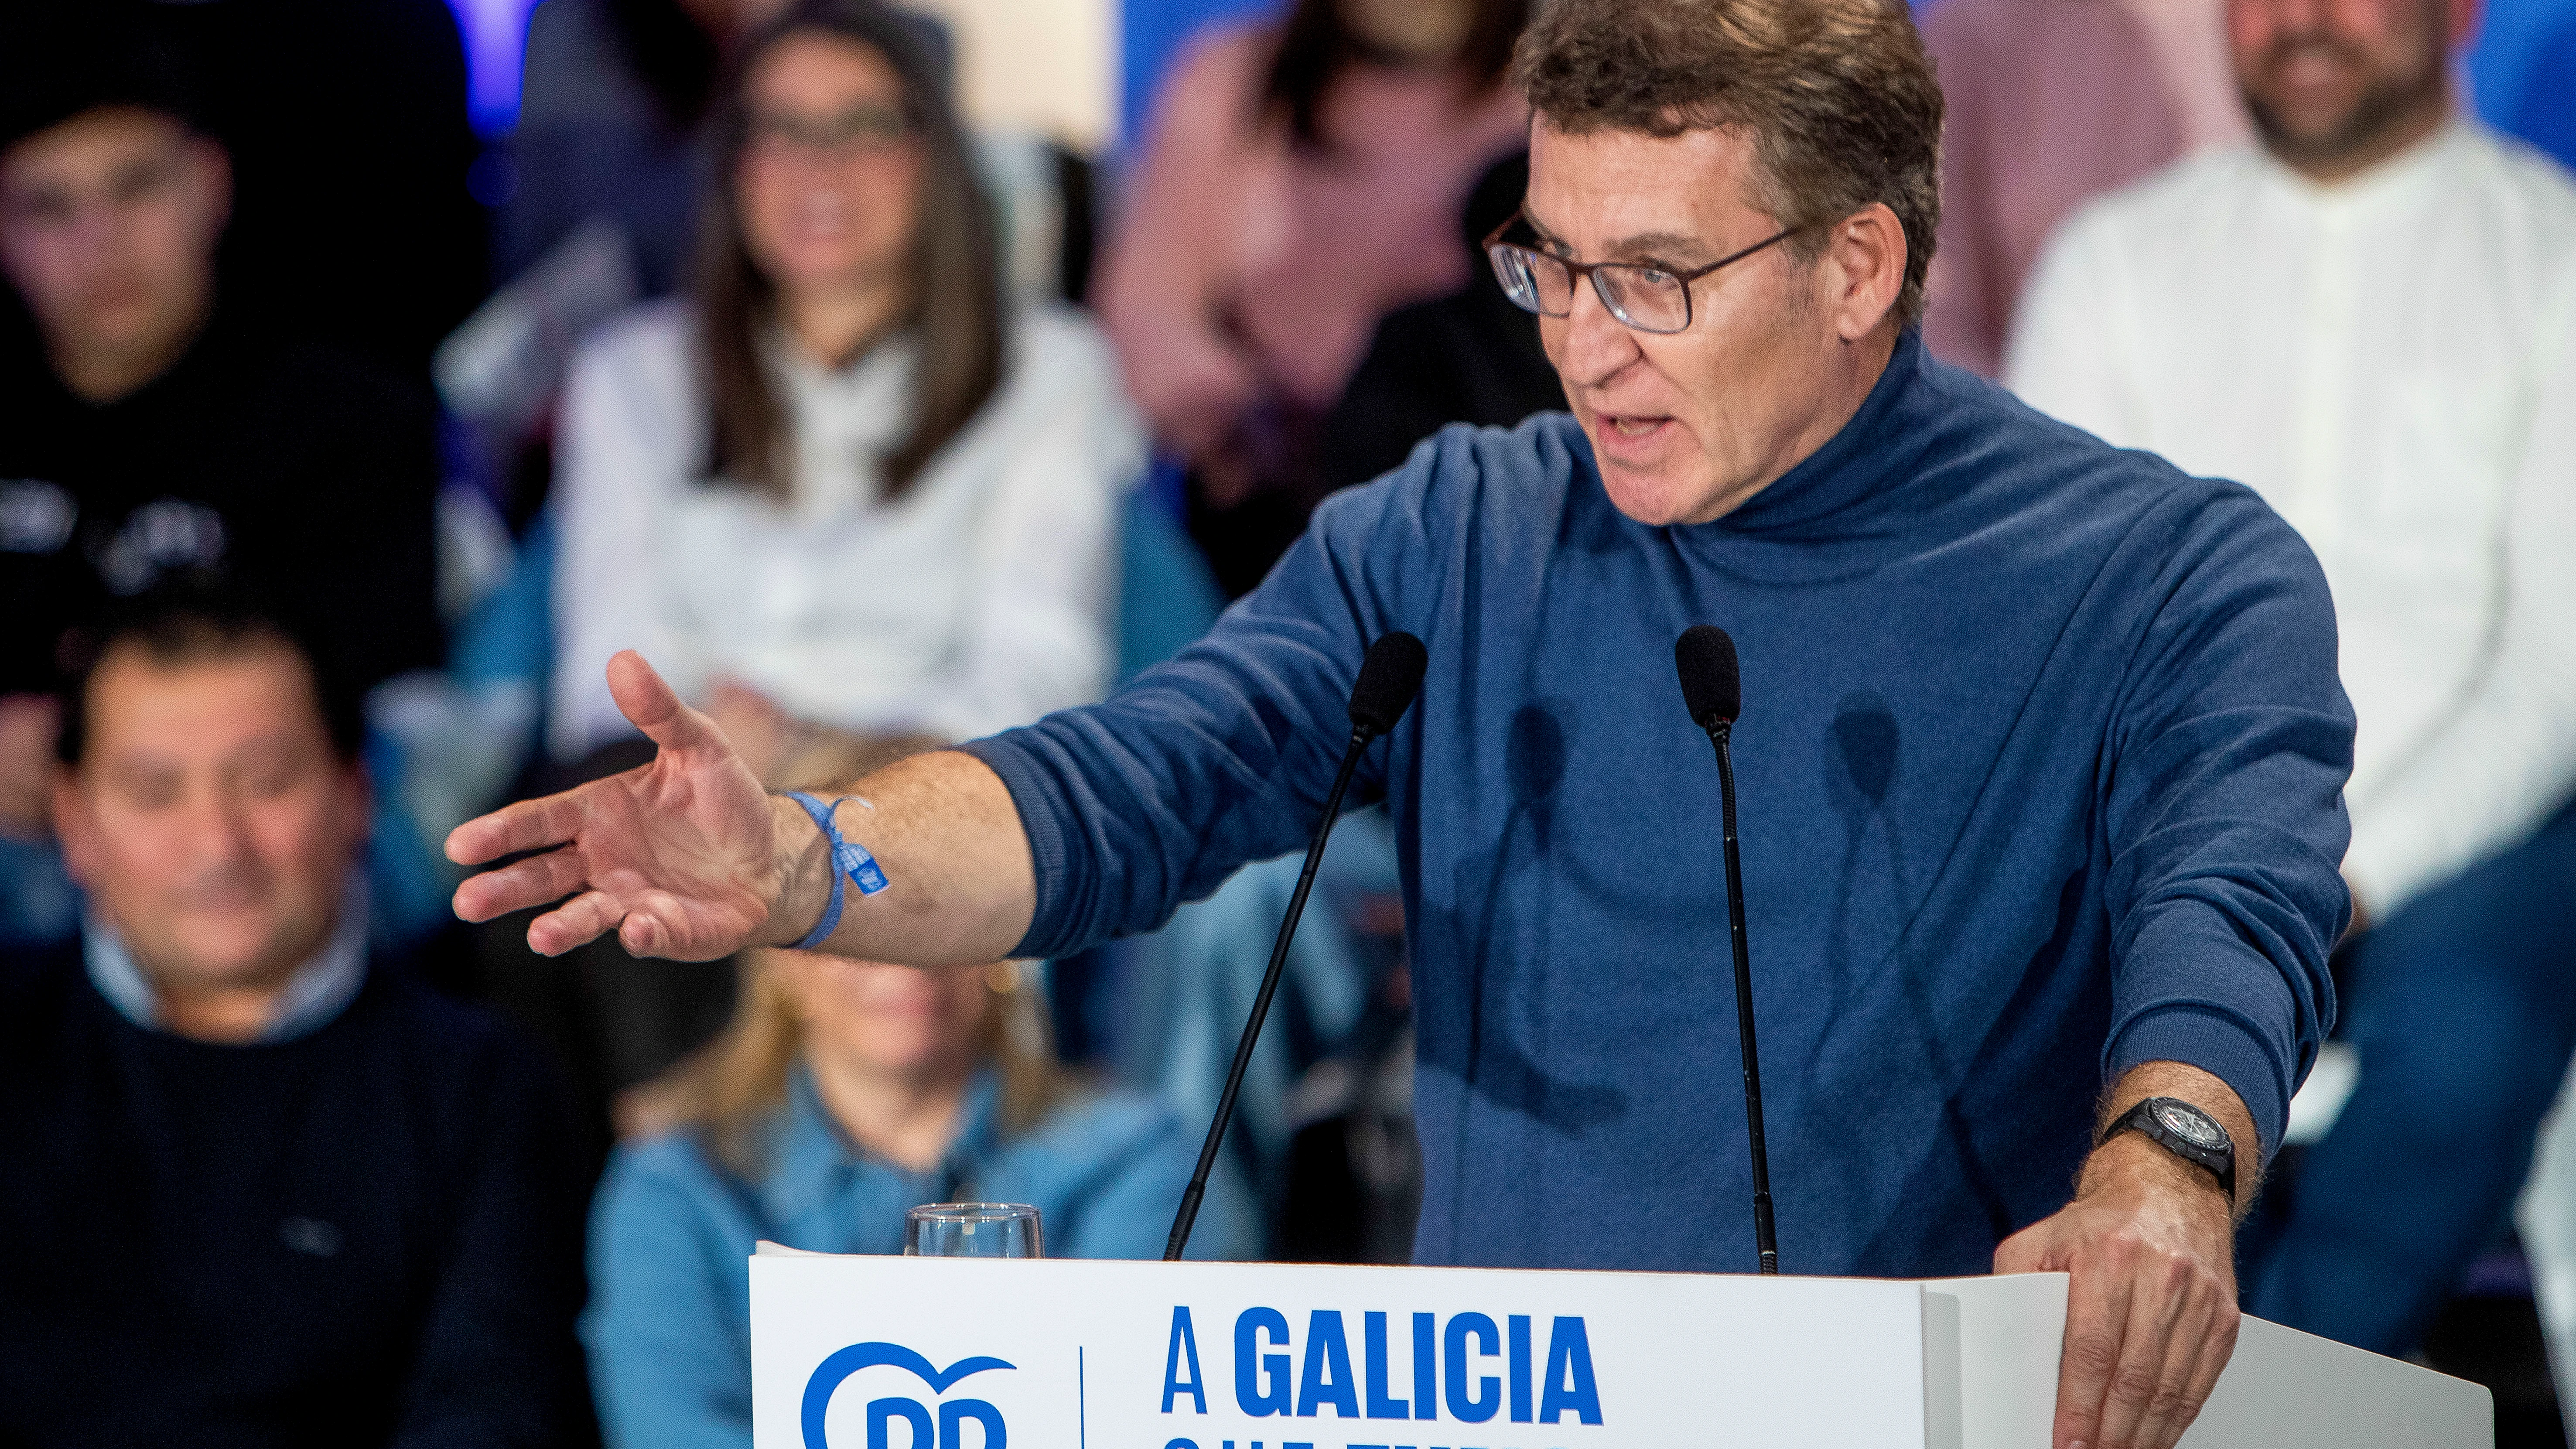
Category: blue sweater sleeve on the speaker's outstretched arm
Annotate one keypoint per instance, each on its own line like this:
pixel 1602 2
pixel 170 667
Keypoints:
pixel 1225 754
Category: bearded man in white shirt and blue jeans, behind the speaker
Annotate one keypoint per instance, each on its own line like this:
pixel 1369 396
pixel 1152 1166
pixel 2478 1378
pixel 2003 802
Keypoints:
pixel 2371 318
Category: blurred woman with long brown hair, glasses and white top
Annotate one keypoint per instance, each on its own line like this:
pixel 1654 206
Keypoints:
pixel 838 496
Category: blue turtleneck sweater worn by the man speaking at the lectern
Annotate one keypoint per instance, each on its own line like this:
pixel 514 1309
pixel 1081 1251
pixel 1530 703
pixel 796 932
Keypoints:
pixel 2041 777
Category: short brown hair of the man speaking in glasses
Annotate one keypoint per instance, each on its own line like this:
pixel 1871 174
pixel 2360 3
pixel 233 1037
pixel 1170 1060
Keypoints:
pixel 1835 94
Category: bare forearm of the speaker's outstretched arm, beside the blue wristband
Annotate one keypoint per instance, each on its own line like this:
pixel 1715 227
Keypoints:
pixel 960 875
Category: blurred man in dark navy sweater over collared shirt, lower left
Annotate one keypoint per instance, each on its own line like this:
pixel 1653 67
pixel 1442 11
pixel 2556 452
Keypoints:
pixel 261 1187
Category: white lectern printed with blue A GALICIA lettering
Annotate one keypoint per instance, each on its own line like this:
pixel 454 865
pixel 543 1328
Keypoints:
pixel 1052 1355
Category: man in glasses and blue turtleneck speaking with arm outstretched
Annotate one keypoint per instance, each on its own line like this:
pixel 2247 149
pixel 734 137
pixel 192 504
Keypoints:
pixel 2041 752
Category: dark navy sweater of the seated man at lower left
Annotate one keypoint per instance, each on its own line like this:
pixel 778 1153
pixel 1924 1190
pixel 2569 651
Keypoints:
pixel 367 1234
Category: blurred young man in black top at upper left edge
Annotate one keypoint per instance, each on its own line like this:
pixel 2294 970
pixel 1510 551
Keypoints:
pixel 158 424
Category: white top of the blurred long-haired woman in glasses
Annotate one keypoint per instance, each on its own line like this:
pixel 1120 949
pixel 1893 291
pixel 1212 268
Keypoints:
pixel 978 602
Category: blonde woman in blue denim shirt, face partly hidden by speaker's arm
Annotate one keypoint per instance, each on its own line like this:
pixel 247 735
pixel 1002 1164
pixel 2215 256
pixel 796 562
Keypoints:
pixel 841 1097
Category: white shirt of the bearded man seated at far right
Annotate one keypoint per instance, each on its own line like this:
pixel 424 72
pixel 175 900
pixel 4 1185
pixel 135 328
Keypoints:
pixel 2392 362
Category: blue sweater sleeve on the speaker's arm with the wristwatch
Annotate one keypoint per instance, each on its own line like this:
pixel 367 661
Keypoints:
pixel 2224 813
